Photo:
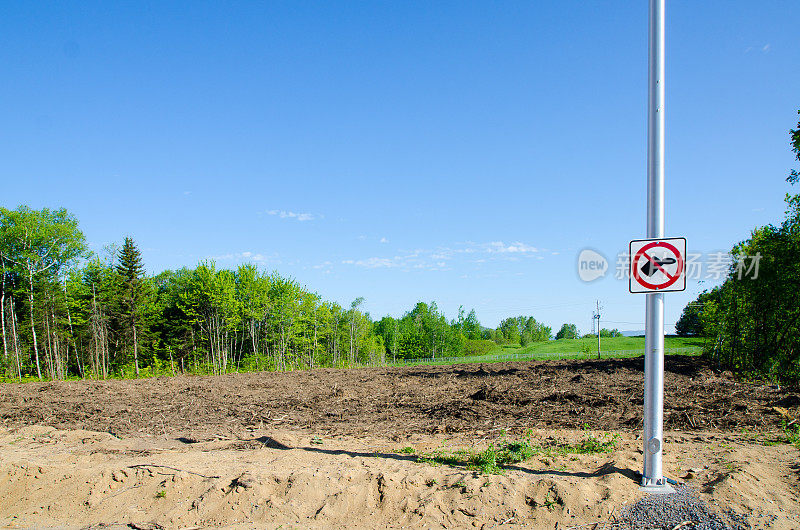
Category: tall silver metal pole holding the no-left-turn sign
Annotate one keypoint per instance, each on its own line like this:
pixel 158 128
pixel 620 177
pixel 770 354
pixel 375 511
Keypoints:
pixel 652 476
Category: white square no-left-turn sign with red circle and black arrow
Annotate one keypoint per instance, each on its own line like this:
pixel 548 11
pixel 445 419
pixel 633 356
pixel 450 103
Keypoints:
pixel 657 265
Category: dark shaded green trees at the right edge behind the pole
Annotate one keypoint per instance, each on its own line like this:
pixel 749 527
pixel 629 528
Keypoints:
pixel 752 325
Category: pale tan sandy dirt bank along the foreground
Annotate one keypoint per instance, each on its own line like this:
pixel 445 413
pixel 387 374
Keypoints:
pixel 80 479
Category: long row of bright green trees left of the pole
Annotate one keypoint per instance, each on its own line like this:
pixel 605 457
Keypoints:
pixel 66 312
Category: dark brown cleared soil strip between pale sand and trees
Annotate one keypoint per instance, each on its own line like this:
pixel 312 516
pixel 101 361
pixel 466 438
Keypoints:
pixel 396 402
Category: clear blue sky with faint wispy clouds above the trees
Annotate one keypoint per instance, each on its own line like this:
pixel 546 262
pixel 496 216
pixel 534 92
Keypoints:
pixel 462 152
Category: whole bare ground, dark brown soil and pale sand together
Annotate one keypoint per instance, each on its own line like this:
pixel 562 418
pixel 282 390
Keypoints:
pixel 329 448
